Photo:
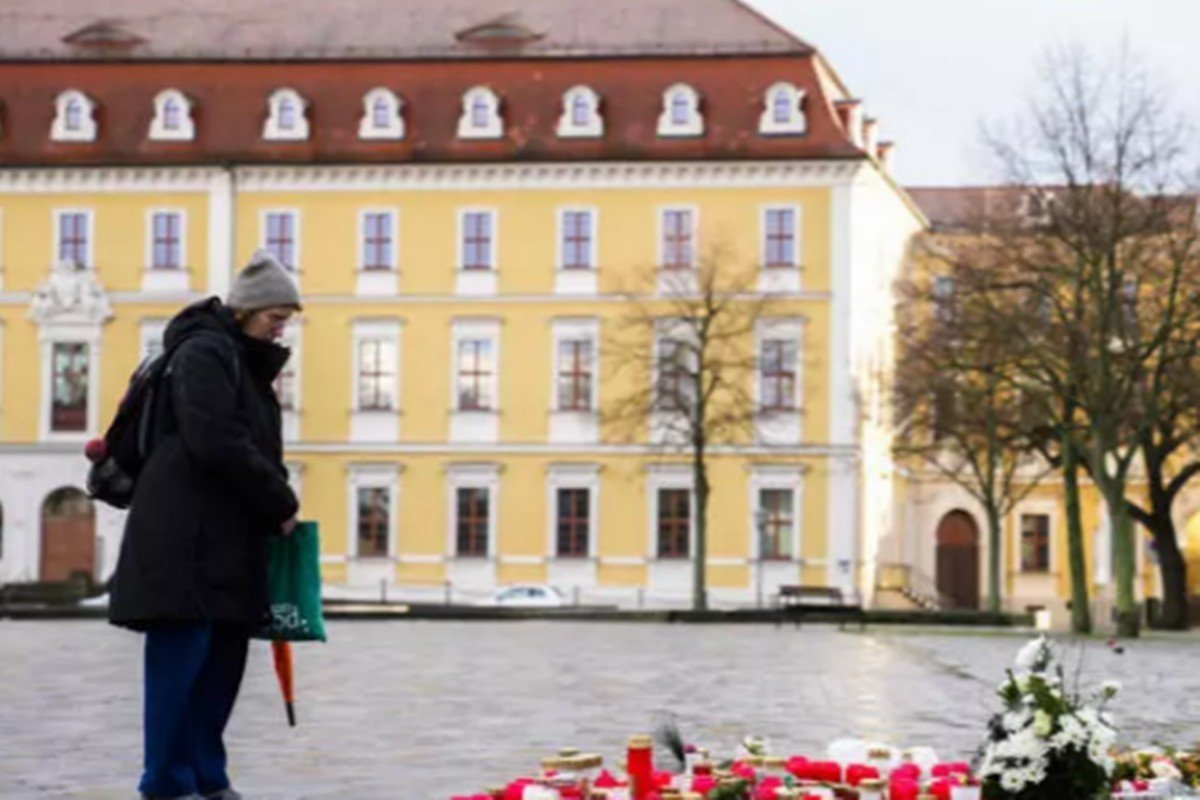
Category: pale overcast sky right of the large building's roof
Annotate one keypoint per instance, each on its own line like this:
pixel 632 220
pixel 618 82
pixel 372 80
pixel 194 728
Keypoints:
pixel 933 70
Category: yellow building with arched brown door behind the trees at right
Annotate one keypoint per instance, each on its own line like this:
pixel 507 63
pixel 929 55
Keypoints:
pixel 945 528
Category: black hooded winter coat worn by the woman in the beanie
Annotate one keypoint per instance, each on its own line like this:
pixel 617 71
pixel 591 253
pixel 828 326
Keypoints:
pixel 214 488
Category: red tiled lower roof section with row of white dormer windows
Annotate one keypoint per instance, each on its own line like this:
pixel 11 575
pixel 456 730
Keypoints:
pixel 231 107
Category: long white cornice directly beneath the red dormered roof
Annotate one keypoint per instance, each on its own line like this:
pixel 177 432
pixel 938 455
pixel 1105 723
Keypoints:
pixel 365 178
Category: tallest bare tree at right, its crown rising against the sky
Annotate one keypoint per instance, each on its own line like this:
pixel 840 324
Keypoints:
pixel 1103 158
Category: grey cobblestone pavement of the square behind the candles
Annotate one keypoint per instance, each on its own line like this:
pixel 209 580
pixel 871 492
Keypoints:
pixel 421 711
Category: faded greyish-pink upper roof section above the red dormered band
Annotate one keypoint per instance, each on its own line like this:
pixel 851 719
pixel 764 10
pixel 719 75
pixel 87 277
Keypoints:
pixel 381 29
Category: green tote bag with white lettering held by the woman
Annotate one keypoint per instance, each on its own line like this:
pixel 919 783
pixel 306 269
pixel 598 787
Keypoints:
pixel 293 567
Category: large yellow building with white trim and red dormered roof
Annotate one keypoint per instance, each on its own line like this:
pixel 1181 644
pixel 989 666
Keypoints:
pixel 445 406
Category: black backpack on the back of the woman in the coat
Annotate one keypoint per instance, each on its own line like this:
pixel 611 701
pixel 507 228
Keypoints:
pixel 127 446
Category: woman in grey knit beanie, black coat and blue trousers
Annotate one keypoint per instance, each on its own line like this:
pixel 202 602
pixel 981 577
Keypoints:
pixel 193 569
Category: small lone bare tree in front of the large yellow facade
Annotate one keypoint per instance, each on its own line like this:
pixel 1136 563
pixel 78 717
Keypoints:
pixel 688 362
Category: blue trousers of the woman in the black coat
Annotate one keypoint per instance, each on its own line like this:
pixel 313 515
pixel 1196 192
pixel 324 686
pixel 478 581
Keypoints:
pixel 193 677
